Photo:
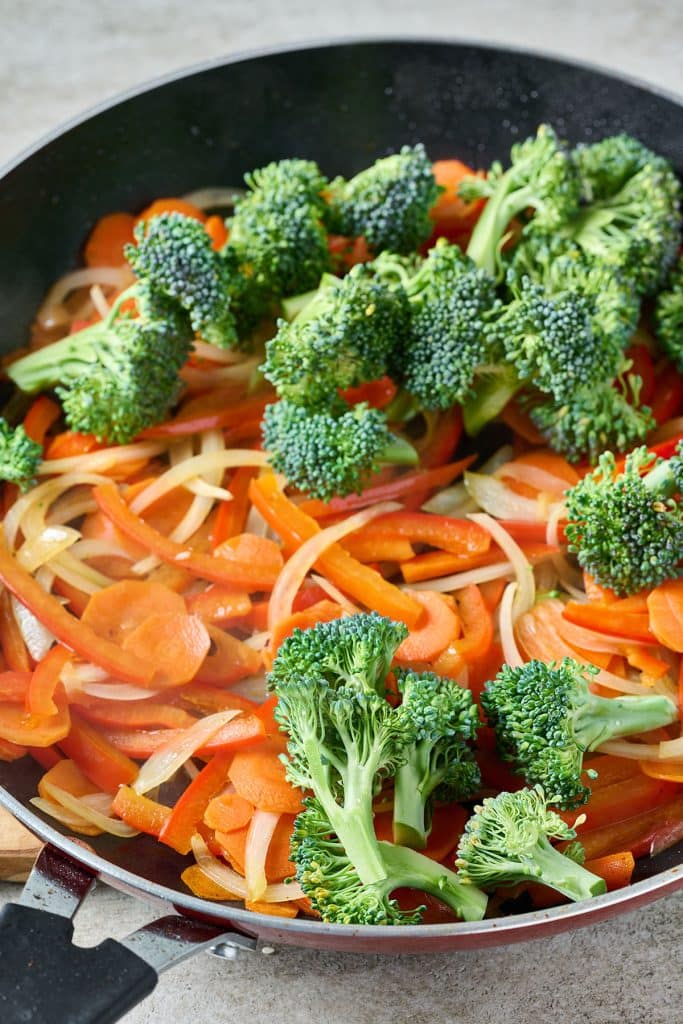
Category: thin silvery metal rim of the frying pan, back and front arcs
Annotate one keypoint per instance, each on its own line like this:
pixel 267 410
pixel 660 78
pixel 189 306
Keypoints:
pixel 530 925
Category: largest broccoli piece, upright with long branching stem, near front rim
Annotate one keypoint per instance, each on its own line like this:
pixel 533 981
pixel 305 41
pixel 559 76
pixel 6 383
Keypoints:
pixel 345 738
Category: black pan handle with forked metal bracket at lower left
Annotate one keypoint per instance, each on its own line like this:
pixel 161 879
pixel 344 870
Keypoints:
pixel 45 977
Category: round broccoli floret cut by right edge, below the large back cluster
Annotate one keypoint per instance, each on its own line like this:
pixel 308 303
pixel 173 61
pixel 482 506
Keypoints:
pixel 627 529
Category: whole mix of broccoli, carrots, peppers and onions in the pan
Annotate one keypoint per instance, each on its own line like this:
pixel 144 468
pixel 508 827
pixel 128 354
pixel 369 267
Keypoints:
pixel 344 539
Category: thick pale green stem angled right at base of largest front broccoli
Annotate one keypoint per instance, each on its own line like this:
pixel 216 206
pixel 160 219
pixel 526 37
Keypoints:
pixel 408 869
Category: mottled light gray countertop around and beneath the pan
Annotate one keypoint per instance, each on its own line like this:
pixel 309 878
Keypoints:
pixel 56 61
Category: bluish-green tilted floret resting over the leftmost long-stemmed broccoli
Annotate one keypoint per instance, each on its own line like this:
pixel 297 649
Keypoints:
pixel 175 258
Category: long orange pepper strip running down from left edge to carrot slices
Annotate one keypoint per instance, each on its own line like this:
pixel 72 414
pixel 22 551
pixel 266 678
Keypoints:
pixel 69 631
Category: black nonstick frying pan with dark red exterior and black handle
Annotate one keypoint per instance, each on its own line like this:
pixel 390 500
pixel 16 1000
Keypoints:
pixel 343 105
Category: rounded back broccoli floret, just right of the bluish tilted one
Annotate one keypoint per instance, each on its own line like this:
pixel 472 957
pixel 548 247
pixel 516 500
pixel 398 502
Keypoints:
pixel 278 230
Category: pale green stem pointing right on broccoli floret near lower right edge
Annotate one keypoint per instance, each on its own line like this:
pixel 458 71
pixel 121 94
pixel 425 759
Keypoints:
pixel 601 719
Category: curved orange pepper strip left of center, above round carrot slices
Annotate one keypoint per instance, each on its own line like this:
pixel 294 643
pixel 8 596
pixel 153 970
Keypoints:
pixel 249 576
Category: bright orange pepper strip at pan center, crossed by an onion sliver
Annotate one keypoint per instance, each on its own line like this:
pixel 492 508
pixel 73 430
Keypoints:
pixel 359 581
